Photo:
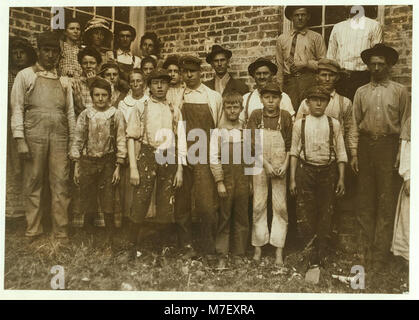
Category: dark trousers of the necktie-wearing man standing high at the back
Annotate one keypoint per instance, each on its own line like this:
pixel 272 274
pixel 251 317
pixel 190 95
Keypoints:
pixel 296 86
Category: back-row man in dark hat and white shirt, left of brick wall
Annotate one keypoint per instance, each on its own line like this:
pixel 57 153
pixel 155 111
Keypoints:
pixel 124 36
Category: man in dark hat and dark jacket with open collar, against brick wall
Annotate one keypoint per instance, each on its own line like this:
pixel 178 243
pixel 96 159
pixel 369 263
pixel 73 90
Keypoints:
pixel 219 59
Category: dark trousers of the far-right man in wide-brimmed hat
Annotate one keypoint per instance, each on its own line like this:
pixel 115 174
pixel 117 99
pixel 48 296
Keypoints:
pixel 378 187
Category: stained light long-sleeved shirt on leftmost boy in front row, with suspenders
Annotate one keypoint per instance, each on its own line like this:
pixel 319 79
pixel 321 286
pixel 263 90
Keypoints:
pixel 99 139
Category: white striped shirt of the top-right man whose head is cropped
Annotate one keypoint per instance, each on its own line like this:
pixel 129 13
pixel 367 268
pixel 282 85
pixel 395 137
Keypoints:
pixel 349 38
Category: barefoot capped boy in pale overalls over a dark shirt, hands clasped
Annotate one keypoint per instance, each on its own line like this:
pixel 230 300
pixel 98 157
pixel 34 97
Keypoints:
pixel 276 126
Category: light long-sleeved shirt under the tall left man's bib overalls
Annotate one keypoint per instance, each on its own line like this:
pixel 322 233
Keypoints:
pixel 23 86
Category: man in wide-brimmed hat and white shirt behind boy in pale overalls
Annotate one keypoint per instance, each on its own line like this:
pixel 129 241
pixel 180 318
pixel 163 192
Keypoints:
pixel 263 71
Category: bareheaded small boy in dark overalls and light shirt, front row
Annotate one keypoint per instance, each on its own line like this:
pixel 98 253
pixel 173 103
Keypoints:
pixel 232 183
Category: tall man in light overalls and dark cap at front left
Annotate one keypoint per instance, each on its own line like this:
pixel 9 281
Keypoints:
pixel 43 125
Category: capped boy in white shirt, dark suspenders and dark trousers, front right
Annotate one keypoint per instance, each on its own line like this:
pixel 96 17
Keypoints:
pixel 317 153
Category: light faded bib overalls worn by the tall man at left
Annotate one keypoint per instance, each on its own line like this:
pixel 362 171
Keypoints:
pixel 46 133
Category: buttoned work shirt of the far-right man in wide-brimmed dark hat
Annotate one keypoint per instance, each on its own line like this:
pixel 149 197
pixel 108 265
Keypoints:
pixel 381 108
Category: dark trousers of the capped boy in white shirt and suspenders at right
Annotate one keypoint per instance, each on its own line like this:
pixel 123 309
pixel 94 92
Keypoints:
pixel 315 198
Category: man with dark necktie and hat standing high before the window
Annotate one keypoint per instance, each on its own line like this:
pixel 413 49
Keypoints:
pixel 297 54
